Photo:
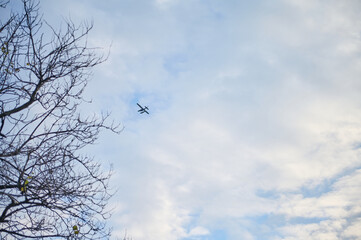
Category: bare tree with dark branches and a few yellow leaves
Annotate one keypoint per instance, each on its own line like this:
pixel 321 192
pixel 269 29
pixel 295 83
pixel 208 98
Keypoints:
pixel 48 189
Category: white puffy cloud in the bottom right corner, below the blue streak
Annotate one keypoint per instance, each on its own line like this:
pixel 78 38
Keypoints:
pixel 340 206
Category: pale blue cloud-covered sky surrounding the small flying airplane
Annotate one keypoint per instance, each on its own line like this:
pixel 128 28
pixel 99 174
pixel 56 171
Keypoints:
pixel 254 129
